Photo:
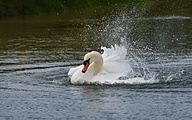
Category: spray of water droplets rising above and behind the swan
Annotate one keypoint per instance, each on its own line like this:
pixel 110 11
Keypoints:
pixel 117 28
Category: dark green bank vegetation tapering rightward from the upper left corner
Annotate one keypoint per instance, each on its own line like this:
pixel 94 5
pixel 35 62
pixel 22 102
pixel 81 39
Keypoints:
pixel 11 8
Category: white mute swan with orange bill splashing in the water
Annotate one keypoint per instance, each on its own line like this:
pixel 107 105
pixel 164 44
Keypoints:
pixel 102 68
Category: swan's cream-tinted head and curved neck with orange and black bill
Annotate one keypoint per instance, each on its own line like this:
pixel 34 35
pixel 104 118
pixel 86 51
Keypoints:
pixel 94 58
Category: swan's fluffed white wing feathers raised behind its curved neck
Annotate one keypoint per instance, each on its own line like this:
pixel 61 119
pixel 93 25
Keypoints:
pixel 115 65
